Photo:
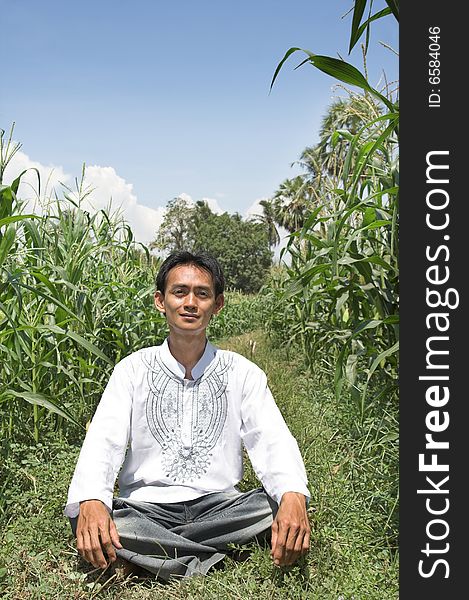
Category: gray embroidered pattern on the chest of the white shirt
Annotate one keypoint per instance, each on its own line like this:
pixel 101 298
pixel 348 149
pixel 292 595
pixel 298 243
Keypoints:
pixel 187 459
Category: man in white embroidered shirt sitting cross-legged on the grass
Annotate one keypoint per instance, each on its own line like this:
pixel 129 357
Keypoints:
pixel 172 423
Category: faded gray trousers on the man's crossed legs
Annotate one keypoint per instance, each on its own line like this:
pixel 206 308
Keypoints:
pixel 187 538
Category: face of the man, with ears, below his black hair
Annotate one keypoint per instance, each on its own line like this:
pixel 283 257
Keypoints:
pixel 189 300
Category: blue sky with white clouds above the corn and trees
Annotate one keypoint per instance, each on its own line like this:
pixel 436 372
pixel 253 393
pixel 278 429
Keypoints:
pixel 173 97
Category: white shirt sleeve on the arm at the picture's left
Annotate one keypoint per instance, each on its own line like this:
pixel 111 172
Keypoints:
pixel 105 443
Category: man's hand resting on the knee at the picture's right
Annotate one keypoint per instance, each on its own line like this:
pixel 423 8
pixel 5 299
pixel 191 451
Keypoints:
pixel 290 530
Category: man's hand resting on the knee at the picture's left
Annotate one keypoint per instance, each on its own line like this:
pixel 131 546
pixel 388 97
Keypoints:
pixel 96 532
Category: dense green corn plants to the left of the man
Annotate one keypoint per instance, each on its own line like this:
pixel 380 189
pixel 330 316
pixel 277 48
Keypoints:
pixel 75 297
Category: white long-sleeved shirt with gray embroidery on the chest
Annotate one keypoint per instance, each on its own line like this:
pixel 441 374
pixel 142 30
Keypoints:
pixel 171 439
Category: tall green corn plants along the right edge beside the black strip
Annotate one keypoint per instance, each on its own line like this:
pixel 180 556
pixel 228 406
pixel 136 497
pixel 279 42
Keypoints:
pixel 342 279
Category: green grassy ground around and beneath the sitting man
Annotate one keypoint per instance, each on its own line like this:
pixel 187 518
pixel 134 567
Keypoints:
pixel 350 557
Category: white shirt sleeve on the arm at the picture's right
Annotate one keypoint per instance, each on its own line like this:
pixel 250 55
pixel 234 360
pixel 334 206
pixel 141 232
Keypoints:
pixel 272 449
